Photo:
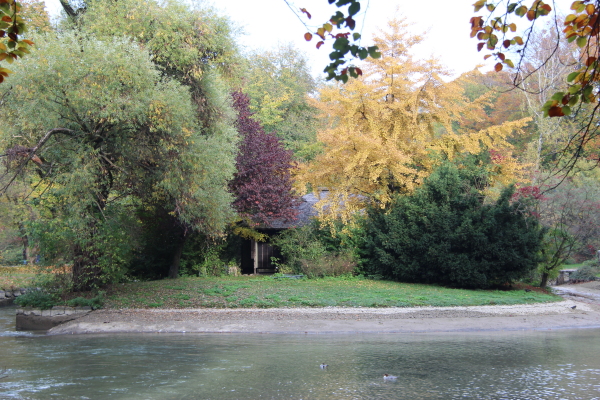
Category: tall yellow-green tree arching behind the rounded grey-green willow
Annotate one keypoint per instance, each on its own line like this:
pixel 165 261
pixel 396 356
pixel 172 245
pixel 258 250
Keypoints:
pixel 195 47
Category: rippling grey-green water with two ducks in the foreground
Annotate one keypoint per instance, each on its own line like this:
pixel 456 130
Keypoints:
pixel 514 365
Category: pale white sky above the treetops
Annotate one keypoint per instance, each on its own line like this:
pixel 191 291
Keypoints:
pixel 267 23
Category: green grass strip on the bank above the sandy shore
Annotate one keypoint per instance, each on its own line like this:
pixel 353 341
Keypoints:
pixel 266 292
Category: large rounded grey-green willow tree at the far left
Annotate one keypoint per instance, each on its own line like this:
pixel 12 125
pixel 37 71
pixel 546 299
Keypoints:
pixel 107 134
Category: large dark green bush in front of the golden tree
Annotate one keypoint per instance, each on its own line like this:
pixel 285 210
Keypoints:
pixel 445 233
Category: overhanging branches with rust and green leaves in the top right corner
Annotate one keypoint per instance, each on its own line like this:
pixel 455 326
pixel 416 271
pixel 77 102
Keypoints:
pixel 499 35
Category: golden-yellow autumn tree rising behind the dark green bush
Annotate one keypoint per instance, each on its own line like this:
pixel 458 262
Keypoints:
pixel 387 127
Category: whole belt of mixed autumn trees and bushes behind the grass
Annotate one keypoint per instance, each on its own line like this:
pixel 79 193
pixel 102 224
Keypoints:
pixel 140 142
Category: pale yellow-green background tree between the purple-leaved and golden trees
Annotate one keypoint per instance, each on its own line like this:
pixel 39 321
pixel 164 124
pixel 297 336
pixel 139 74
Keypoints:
pixel 279 84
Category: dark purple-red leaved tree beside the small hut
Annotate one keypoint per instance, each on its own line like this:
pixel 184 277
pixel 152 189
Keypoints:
pixel 262 184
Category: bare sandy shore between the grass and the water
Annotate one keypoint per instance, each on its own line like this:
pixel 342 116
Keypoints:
pixel 561 315
